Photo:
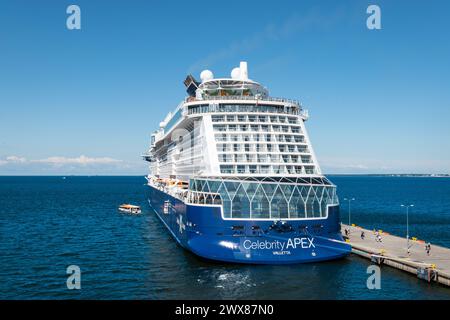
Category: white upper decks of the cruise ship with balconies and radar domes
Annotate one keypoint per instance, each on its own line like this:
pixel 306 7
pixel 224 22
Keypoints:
pixel 231 127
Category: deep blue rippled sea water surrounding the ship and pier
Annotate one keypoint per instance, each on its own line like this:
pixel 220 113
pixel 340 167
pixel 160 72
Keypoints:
pixel 49 223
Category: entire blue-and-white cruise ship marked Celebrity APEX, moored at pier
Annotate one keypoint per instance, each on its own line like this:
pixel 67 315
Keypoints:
pixel 234 178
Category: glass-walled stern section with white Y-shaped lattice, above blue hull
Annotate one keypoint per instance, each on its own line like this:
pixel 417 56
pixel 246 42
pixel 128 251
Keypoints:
pixel 266 198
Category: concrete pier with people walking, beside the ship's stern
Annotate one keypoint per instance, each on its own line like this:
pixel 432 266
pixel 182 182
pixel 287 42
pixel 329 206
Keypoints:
pixel 392 251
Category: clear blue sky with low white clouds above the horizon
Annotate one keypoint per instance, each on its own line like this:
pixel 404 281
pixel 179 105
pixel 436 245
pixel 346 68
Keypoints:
pixel 85 101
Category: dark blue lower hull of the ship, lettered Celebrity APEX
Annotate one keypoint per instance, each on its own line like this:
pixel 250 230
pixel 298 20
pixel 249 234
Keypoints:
pixel 202 230
